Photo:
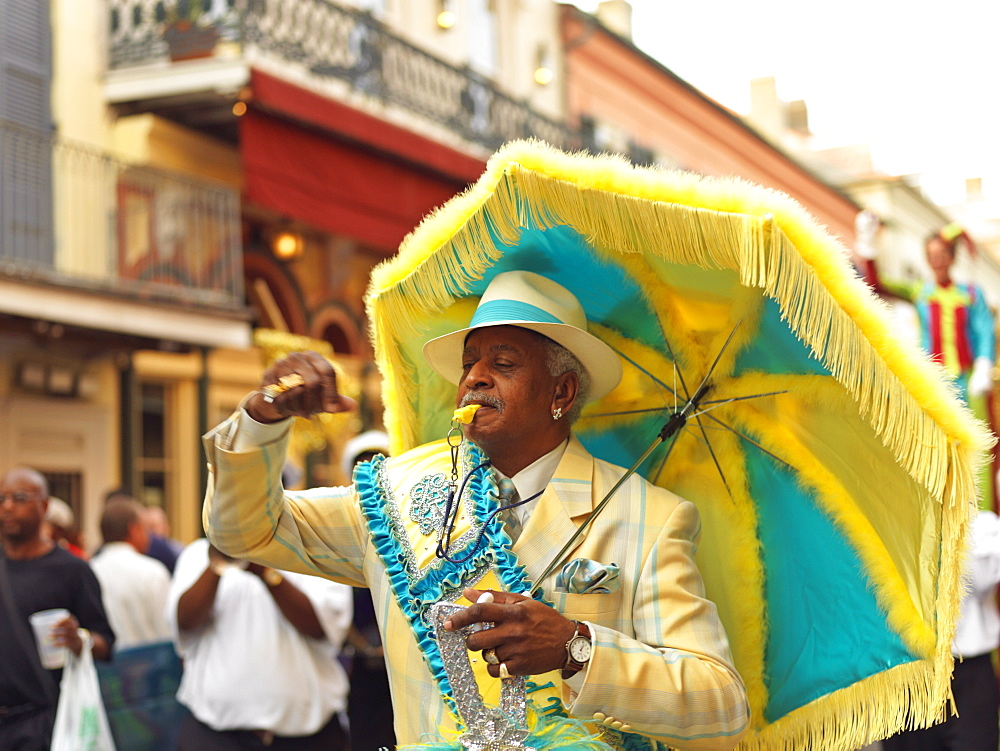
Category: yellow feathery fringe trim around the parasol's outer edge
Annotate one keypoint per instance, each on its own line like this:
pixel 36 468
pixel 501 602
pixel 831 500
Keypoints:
pixel 771 244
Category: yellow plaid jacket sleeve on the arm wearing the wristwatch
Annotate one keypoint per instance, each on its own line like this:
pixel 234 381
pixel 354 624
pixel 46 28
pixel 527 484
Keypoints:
pixel 673 680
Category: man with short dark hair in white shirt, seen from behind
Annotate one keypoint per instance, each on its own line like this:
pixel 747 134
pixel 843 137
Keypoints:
pixel 133 586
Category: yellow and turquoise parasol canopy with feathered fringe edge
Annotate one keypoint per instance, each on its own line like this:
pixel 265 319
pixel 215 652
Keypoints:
pixel 832 464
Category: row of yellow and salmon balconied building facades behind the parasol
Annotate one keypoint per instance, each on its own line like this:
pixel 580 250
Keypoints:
pixel 212 182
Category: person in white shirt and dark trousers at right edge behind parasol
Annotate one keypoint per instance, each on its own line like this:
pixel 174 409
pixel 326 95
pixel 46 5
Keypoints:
pixel 977 633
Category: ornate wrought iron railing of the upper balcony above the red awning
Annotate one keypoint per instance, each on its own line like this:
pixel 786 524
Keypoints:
pixel 329 42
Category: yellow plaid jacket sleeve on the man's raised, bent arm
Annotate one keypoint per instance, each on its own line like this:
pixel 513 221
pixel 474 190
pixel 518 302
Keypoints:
pixel 247 514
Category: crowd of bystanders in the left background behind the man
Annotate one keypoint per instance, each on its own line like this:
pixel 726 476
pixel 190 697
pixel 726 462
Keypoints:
pixel 266 654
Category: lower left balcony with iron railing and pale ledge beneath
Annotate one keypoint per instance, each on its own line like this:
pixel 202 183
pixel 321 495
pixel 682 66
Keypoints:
pixel 102 235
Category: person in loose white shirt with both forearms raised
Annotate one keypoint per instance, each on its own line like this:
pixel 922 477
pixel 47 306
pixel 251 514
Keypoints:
pixel 260 654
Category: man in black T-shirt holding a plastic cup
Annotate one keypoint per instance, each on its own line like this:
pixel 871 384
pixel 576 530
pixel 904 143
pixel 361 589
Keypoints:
pixel 36 574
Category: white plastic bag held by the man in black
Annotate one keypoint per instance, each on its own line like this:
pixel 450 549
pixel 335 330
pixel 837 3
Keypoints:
pixel 81 722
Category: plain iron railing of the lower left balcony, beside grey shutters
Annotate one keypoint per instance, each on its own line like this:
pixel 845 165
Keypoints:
pixel 74 216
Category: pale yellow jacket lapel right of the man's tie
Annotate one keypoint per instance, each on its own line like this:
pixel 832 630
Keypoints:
pixel 560 510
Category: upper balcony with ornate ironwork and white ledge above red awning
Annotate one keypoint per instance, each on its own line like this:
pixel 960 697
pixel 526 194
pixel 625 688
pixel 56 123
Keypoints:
pixel 340 52
